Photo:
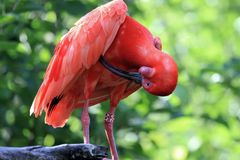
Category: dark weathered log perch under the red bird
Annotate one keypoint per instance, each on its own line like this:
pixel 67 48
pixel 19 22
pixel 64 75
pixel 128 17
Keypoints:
pixel 60 152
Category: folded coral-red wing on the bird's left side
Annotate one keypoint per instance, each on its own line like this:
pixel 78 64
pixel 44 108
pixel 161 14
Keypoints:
pixel 78 50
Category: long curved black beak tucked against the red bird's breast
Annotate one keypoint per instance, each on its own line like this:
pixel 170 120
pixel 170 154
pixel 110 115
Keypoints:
pixel 134 76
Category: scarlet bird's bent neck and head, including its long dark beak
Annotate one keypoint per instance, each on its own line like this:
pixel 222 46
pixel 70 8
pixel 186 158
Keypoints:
pixel 155 70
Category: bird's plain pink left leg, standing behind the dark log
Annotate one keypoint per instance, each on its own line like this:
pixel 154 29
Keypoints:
pixel 85 122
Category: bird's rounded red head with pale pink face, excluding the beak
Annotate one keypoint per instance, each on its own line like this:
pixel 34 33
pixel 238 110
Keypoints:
pixel 161 78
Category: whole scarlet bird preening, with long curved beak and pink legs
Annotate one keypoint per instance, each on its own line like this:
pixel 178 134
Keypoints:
pixel 106 55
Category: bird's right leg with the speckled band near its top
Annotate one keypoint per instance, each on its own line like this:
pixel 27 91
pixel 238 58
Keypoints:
pixel 108 123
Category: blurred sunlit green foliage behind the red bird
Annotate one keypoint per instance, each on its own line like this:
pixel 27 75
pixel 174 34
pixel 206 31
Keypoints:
pixel 199 121
